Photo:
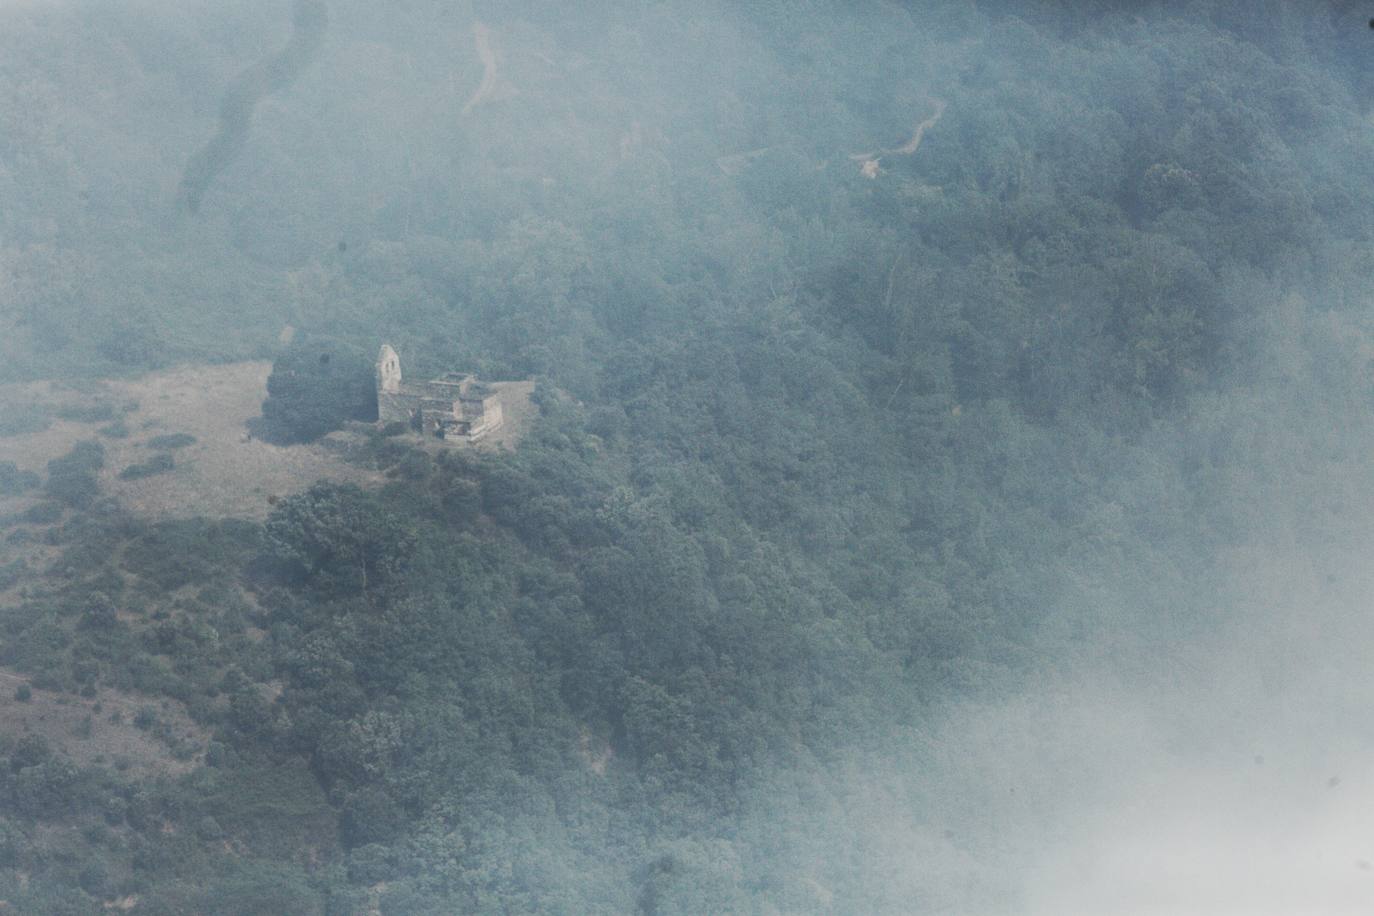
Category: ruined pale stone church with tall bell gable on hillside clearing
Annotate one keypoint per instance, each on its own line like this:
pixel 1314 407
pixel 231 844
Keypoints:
pixel 451 407
